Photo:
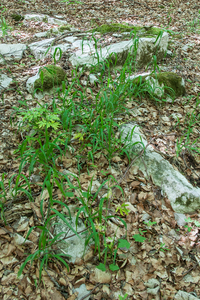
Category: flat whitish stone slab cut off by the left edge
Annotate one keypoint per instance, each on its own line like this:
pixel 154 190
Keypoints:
pixel 11 52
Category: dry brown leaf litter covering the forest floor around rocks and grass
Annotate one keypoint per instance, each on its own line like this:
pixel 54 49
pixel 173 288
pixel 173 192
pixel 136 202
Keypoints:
pixel 170 253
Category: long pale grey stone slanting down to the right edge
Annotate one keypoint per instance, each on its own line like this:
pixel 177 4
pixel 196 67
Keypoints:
pixel 184 198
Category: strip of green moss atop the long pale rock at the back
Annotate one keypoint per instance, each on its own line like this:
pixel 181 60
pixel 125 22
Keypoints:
pixel 116 27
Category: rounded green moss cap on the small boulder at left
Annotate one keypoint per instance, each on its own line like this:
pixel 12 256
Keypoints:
pixel 52 76
